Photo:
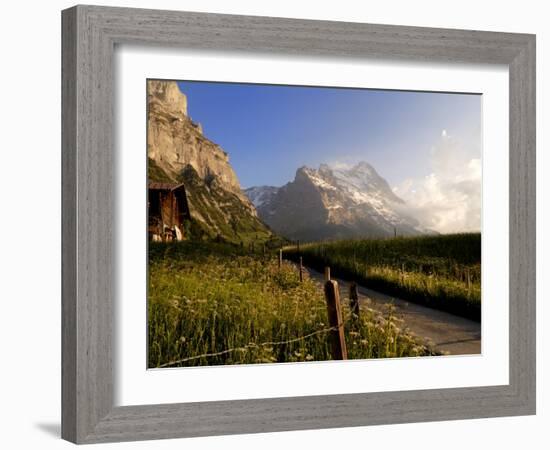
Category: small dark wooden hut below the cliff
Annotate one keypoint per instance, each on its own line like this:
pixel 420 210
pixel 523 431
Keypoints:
pixel 167 208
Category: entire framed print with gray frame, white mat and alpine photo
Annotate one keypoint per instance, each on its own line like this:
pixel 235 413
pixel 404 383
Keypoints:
pixel 268 222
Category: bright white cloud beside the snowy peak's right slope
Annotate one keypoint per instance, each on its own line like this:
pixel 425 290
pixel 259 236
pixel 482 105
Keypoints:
pixel 449 198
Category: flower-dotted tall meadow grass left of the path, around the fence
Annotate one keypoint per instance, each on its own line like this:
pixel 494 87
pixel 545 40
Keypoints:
pixel 211 304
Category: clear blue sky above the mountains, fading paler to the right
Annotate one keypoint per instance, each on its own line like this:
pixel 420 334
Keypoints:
pixel 270 131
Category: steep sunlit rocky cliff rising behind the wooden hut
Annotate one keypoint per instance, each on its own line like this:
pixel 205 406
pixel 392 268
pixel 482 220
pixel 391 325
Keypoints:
pixel 179 152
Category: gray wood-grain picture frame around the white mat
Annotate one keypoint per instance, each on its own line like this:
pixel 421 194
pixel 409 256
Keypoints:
pixel 90 34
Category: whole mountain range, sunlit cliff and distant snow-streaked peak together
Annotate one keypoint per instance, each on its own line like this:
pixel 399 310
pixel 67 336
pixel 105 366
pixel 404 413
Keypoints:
pixel 324 203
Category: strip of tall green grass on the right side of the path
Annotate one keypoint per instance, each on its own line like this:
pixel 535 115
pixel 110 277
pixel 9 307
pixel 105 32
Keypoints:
pixel 442 272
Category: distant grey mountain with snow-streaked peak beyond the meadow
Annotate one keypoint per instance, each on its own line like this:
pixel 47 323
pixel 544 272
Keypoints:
pixel 328 203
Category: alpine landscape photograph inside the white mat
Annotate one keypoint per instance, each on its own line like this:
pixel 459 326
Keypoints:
pixel 300 224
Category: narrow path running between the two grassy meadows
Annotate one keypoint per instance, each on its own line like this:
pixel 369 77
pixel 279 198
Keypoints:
pixel 453 334
